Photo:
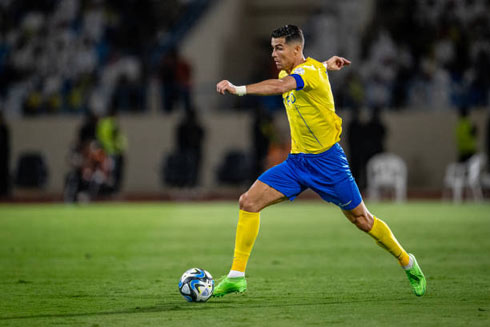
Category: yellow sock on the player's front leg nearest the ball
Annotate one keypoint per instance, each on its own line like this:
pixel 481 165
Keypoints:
pixel 246 233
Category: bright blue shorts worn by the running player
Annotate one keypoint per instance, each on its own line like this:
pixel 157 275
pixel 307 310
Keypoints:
pixel 326 173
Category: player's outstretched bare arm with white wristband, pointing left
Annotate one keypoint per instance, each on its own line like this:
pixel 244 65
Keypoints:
pixel 267 87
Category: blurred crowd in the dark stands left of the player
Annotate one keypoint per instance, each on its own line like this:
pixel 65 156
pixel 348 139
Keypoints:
pixel 74 56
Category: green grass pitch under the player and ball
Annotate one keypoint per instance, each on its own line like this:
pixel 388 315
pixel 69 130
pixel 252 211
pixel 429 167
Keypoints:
pixel 119 265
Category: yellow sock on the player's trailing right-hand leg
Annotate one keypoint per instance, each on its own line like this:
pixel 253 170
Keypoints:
pixel 385 238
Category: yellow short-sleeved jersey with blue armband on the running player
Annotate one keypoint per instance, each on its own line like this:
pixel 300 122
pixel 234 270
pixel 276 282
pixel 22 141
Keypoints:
pixel 310 108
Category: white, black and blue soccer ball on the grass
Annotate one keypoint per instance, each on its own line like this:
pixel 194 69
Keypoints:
pixel 196 285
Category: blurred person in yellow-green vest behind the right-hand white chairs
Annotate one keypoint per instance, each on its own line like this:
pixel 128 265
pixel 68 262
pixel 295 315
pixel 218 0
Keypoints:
pixel 465 136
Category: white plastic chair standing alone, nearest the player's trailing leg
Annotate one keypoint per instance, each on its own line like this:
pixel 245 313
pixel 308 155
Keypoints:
pixel 387 171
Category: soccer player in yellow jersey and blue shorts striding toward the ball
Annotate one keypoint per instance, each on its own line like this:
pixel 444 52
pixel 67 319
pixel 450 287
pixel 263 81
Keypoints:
pixel 316 161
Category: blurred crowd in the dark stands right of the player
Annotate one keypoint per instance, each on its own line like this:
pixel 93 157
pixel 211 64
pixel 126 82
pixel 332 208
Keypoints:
pixel 431 54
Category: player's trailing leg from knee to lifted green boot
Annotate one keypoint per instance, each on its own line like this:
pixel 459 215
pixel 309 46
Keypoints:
pixel 379 230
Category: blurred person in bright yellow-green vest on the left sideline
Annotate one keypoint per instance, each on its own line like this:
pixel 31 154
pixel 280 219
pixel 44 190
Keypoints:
pixel 114 144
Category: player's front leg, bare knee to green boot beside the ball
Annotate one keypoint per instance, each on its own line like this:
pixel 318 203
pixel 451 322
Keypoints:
pixel 259 196
